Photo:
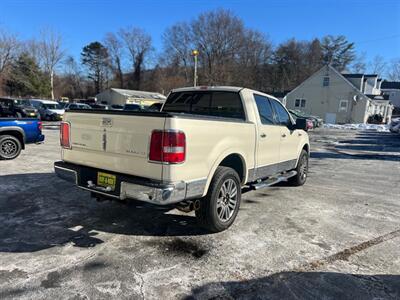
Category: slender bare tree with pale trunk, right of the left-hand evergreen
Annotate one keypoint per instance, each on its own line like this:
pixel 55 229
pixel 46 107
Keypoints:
pixel 51 53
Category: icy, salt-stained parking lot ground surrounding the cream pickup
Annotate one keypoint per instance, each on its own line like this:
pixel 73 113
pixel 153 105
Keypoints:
pixel 336 237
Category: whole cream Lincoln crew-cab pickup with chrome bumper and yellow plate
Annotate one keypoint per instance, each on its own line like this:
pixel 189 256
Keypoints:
pixel 197 153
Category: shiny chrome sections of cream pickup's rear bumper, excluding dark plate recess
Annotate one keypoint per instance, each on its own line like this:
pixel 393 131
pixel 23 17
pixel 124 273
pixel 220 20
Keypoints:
pixel 156 193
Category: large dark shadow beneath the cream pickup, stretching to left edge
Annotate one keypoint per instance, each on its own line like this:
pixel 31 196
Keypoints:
pixel 39 211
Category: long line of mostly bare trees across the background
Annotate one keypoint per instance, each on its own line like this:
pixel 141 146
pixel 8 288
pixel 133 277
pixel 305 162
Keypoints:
pixel 230 53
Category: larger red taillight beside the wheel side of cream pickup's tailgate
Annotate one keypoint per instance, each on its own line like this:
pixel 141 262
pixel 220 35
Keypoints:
pixel 167 146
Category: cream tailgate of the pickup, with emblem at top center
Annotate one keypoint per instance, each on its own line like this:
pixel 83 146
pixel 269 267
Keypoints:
pixel 114 142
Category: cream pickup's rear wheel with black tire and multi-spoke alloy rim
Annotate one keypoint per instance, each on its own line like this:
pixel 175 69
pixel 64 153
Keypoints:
pixel 220 206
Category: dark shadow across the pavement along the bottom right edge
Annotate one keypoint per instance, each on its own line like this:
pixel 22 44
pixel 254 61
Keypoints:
pixel 304 285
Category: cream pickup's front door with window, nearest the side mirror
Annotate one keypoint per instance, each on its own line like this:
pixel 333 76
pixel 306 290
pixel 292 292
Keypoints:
pixel 289 138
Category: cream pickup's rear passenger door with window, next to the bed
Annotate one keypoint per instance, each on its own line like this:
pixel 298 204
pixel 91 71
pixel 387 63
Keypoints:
pixel 268 138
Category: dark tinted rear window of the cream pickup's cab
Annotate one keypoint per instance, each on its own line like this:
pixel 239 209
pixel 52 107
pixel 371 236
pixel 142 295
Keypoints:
pixel 218 104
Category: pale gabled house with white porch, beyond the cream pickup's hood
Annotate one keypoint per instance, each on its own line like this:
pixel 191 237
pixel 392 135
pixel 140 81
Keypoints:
pixel 340 98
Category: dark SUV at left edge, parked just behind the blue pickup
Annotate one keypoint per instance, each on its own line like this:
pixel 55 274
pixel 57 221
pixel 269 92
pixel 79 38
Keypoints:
pixel 17 108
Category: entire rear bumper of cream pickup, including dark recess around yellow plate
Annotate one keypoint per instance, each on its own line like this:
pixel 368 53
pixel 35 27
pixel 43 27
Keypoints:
pixel 131 187
